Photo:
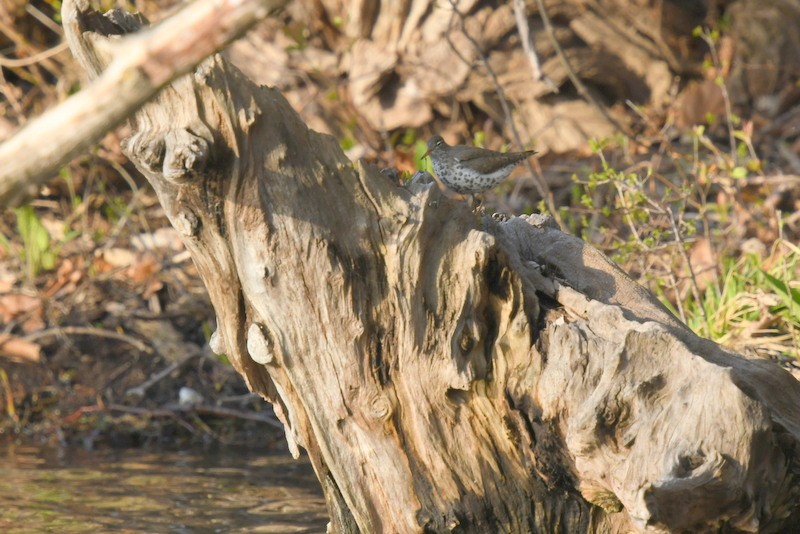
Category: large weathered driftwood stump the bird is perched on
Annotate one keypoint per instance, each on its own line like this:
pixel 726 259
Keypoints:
pixel 447 372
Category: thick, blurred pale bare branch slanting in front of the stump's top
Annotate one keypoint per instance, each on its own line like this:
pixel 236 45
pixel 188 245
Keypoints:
pixel 142 66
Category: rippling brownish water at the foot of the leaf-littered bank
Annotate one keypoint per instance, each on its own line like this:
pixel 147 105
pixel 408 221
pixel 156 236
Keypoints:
pixel 134 490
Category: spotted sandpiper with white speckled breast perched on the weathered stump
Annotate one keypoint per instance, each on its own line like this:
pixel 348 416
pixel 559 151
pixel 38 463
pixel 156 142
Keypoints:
pixel 470 170
